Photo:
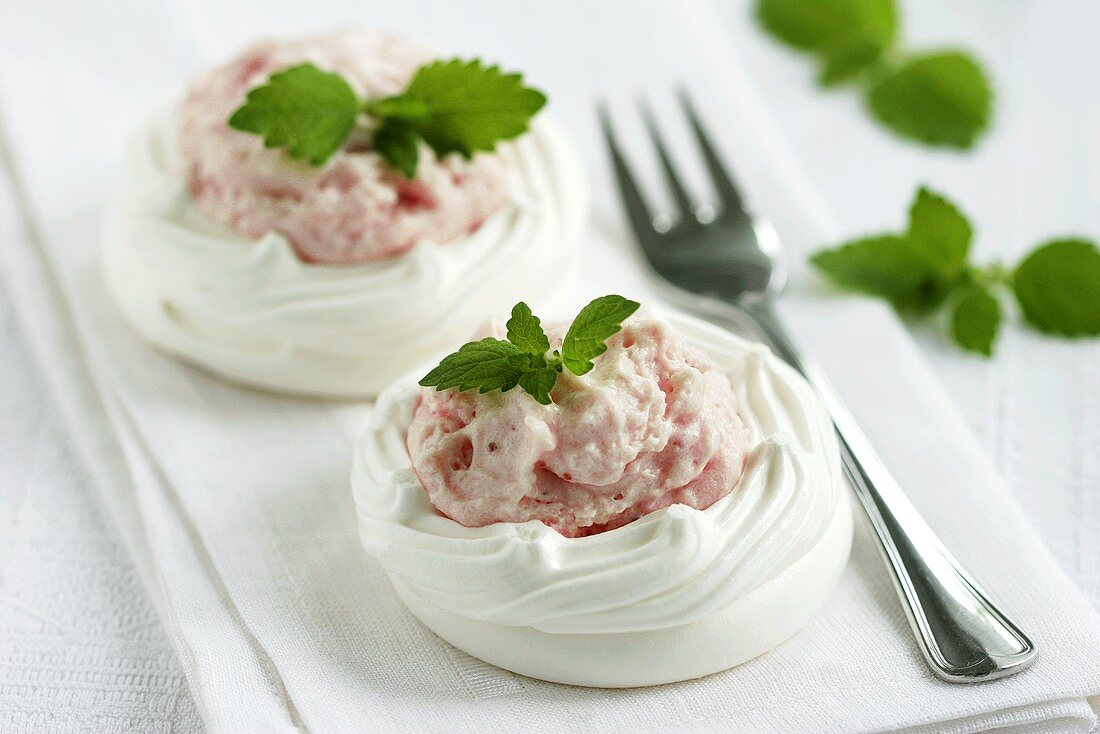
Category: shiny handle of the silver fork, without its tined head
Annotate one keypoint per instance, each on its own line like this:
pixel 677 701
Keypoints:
pixel 961 632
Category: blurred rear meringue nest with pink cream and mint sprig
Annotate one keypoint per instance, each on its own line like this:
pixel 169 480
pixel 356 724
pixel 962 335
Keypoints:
pixel 320 214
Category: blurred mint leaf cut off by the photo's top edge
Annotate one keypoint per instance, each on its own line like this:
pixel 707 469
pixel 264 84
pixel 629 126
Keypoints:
pixel 846 36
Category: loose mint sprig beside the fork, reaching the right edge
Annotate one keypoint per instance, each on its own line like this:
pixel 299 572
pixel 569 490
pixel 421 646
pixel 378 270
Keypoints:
pixel 1058 286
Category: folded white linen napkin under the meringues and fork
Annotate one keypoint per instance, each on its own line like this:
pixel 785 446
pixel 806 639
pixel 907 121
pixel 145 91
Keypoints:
pixel 236 503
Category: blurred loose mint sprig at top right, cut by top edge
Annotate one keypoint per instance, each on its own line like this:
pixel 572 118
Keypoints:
pixel 941 98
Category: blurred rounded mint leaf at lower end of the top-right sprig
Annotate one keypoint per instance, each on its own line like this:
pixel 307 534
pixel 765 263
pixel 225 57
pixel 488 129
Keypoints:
pixel 942 98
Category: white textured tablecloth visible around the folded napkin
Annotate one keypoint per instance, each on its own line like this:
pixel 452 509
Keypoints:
pixel 1035 406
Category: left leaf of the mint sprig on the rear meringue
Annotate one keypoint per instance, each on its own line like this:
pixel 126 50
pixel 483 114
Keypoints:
pixel 303 109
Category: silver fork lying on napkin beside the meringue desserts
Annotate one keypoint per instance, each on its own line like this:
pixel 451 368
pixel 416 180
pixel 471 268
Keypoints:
pixel 734 256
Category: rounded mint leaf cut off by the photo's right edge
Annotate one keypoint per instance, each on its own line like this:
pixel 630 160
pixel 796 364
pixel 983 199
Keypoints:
pixel 1059 288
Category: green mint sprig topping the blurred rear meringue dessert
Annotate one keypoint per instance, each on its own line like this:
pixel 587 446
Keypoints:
pixel 454 106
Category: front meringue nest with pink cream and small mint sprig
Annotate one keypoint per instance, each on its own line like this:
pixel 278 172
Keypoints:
pixel 732 530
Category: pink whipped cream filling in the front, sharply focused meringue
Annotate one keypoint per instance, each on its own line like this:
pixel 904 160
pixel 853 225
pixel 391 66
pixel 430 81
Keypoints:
pixel 654 424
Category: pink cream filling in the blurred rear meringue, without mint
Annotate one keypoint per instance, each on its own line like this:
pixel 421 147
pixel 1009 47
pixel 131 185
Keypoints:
pixel 355 210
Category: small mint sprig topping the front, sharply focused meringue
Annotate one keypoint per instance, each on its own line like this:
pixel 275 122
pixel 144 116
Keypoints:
pixel 524 359
